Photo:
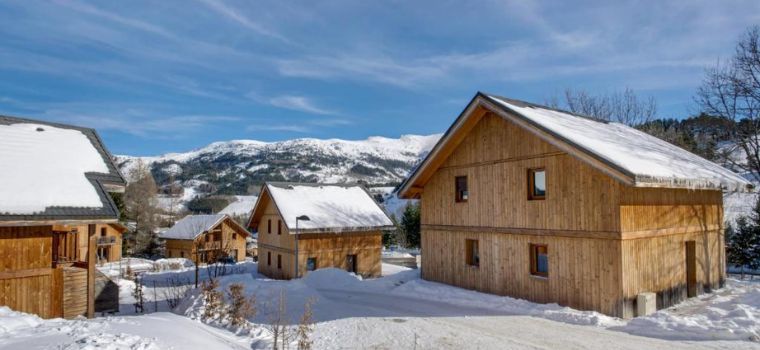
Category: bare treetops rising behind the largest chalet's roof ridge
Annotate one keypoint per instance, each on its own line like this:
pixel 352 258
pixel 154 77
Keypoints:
pixel 621 106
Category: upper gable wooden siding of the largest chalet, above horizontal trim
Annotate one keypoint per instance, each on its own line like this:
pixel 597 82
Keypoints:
pixel 496 157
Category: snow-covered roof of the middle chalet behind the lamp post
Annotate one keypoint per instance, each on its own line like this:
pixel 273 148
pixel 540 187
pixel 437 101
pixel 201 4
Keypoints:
pixel 329 207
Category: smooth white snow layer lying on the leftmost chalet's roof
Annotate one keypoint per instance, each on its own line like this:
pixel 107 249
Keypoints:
pixel 49 166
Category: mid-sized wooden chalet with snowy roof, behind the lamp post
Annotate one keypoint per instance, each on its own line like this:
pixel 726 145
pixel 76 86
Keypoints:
pixel 304 227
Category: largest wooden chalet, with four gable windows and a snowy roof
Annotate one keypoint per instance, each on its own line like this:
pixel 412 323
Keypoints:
pixel 542 204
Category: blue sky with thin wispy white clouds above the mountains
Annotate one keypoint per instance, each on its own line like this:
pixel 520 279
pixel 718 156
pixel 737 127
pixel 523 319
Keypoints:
pixel 164 76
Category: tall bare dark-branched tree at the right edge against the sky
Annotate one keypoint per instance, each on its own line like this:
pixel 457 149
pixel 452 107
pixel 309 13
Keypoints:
pixel 731 90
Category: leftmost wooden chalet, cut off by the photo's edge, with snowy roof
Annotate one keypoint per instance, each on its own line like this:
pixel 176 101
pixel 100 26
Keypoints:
pixel 54 197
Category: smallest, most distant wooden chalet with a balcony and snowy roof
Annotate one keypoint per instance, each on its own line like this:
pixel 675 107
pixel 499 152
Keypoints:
pixel 206 238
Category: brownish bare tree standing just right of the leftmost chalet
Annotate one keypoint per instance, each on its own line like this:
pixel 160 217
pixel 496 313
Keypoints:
pixel 141 205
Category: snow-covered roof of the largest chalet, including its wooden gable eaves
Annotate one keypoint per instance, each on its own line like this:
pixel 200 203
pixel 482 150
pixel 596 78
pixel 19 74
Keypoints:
pixel 628 154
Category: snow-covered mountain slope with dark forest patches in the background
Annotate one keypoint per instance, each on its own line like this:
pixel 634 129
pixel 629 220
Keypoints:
pixel 241 166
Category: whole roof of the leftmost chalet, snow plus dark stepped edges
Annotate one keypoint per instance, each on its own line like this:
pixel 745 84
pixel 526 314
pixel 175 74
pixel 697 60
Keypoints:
pixel 58 171
